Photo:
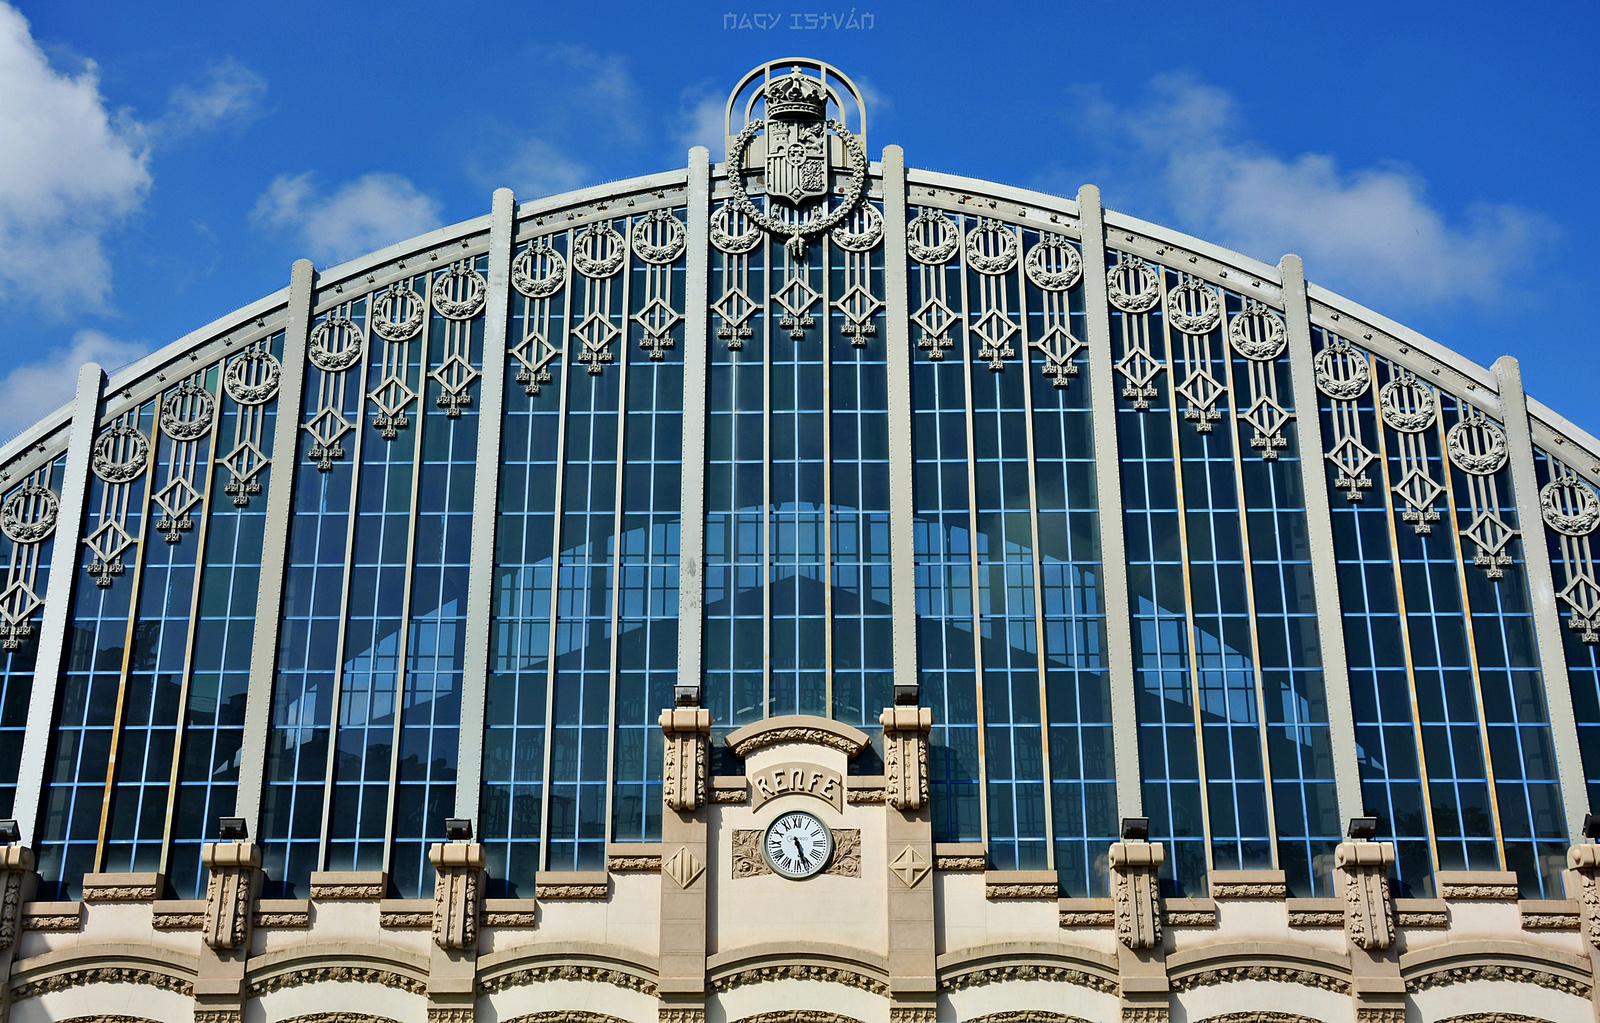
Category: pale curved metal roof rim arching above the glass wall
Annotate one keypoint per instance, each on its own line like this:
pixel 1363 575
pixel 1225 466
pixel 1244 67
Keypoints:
pixel 1481 382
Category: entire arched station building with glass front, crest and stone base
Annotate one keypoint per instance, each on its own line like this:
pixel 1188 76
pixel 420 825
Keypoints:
pixel 801 588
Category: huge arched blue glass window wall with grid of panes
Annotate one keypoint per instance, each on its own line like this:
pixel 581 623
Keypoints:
pixel 630 327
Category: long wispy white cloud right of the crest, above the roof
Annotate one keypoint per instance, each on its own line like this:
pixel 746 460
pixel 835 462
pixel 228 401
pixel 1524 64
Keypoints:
pixel 1370 230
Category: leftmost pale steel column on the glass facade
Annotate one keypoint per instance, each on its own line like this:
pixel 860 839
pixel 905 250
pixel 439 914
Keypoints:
pixel 58 601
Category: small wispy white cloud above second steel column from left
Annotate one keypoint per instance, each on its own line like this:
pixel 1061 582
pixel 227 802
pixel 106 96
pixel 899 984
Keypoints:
pixel 372 212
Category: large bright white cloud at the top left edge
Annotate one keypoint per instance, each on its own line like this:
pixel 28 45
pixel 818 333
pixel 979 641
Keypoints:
pixel 70 175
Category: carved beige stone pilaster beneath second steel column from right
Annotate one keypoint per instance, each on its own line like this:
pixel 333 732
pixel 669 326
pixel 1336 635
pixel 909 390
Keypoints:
pixel 1362 873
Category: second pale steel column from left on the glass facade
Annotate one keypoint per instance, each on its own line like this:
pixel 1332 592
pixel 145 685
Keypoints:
pixel 276 547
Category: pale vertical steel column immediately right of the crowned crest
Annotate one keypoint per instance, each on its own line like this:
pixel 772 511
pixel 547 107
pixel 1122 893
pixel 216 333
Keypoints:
pixel 897 332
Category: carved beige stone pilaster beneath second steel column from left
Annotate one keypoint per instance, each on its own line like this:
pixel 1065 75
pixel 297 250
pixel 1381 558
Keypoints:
pixel 230 917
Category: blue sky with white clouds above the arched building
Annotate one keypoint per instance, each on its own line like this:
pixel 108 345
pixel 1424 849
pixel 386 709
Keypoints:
pixel 164 164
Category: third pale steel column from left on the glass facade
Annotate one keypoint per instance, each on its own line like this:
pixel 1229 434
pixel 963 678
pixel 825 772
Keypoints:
pixel 486 510
